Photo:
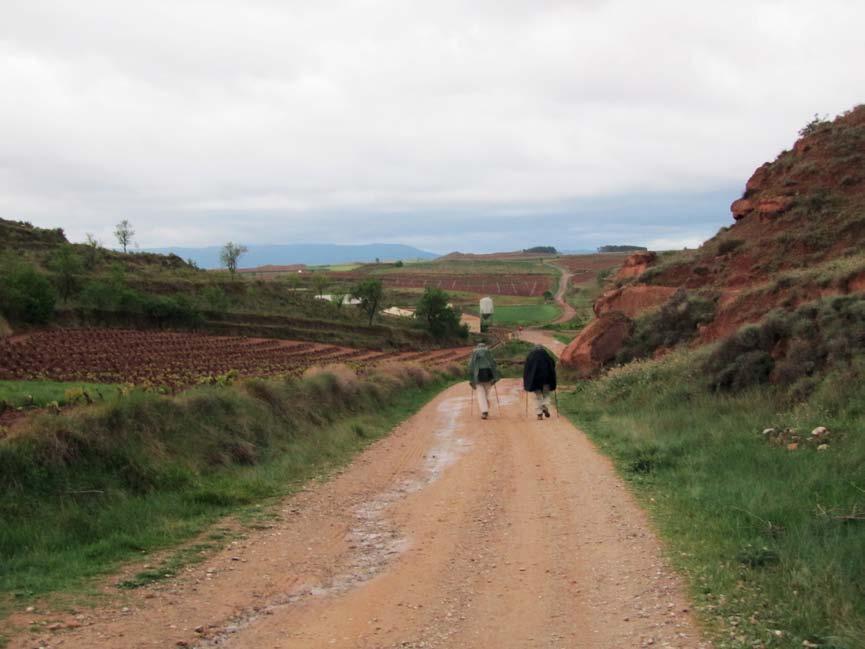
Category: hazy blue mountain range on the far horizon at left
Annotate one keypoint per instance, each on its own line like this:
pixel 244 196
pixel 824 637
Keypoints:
pixel 311 254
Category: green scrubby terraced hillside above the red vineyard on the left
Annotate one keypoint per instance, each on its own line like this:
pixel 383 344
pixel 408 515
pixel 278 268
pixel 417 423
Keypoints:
pixel 48 280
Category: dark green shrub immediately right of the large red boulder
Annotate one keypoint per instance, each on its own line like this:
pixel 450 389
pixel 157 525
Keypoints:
pixel 677 321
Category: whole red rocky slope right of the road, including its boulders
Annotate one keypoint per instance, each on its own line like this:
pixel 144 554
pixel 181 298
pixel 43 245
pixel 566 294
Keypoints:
pixel 798 234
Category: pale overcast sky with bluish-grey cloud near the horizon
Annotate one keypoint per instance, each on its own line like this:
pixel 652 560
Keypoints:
pixel 490 124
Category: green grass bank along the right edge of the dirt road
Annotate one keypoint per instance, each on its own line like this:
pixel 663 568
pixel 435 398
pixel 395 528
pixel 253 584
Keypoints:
pixel 770 538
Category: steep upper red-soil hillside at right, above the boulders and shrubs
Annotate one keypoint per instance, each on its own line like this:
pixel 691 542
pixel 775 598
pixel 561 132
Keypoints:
pixel 804 209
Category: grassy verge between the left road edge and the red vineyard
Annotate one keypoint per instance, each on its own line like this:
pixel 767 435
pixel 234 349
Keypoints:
pixel 80 494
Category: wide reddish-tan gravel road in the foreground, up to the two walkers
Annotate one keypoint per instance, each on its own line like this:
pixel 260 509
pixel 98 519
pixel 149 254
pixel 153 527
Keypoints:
pixel 452 532
